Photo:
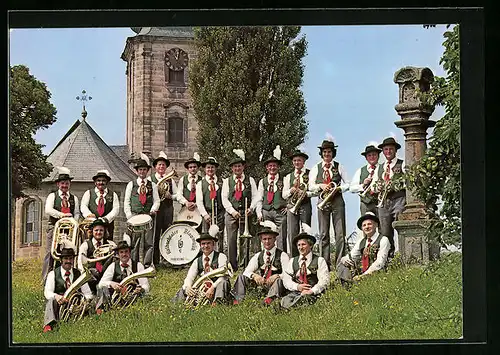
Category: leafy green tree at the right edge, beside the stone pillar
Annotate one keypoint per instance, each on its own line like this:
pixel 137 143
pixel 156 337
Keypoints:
pixel 436 177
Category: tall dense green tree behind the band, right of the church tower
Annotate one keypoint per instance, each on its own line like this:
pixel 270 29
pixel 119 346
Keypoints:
pixel 246 88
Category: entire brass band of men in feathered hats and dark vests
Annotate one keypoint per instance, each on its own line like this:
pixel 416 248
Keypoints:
pixel 277 259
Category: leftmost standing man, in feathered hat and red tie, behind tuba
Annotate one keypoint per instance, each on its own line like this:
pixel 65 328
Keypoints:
pixel 59 204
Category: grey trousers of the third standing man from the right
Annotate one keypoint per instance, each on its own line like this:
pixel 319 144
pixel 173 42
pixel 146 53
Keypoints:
pixel 337 212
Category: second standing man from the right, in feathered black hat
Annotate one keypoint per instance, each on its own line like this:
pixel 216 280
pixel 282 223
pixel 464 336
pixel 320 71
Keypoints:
pixel 363 177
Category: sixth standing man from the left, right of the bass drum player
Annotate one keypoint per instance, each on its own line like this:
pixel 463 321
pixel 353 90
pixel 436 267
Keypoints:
pixel 208 197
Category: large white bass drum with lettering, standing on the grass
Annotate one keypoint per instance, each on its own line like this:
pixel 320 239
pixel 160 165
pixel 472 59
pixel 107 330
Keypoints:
pixel 178 244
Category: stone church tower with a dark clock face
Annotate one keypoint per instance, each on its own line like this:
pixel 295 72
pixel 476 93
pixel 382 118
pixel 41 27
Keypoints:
pixel 160 116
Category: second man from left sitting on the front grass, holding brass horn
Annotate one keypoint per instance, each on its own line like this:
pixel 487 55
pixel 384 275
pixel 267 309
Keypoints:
pixel 115 273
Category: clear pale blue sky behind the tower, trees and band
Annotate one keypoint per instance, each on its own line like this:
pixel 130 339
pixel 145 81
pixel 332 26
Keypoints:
pixel 348 83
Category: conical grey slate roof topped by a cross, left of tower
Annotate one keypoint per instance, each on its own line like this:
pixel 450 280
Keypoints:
pixel 83 152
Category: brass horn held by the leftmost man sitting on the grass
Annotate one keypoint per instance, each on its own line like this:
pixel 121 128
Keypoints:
pixel 77 304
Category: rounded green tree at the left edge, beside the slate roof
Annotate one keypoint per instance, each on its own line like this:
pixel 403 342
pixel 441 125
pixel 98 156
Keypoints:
pixel 30 110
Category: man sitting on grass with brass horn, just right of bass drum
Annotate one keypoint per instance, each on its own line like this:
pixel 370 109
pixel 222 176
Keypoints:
pixel 217 289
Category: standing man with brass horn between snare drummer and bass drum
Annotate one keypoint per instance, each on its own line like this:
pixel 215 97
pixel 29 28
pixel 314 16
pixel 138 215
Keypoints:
pixel 165 214
